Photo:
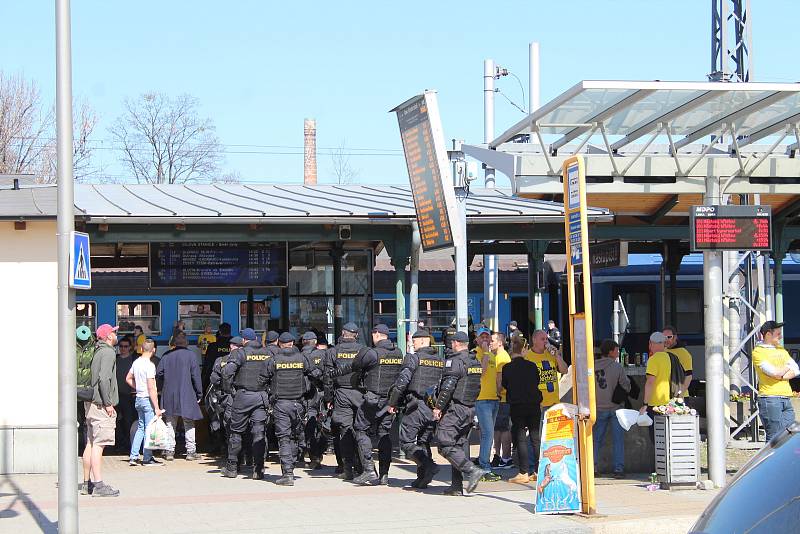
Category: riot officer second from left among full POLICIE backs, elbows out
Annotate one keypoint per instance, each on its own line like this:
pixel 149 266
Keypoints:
pixel 287 374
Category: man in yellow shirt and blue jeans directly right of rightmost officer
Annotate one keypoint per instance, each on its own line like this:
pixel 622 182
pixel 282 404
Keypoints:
pixel 488 403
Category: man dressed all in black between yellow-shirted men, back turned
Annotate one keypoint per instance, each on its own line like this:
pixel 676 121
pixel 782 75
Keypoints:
pixel 520 379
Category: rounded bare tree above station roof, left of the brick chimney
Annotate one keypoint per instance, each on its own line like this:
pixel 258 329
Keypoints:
pixel 164 141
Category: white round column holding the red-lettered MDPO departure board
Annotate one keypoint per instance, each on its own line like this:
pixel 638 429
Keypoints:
pixel 715 388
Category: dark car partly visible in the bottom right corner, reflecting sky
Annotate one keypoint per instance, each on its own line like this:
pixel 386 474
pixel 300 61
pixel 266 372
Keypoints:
pixel 764 496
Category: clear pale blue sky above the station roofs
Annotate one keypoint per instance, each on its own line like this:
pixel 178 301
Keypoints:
pixel 260 68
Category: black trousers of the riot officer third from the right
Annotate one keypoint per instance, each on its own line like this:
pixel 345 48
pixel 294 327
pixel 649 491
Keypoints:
pixel 372 420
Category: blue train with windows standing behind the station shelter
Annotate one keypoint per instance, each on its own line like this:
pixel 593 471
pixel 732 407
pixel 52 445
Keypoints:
pixel 124 298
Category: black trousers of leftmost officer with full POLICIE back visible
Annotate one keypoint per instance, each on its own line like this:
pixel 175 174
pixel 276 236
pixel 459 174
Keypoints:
pixel 249 408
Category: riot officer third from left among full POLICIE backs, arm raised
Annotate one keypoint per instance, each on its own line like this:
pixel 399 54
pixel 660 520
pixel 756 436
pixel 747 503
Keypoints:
pixel 344 391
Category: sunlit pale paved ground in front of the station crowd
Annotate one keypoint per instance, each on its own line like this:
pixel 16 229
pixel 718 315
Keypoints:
pixel 192 497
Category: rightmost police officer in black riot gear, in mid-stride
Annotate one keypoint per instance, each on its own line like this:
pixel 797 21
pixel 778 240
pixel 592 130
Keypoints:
pixel 455 409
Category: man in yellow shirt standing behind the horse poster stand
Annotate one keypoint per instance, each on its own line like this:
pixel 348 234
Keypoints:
pixel 551 365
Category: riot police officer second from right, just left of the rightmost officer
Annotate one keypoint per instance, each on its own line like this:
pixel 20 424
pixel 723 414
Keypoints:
pixel 416 383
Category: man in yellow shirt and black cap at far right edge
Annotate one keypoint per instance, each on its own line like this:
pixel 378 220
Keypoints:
pixel 774 368
